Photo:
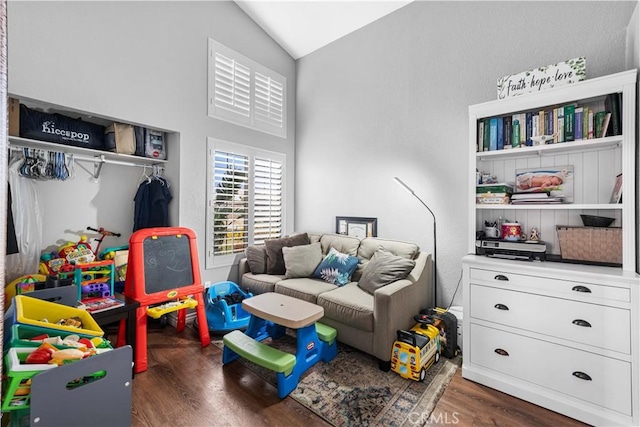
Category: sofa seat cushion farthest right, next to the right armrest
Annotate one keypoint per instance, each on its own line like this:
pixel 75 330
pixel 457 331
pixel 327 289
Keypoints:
pixel 349 305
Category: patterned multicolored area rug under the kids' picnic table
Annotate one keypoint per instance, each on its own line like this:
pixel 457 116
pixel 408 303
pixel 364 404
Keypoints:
pixel 352 391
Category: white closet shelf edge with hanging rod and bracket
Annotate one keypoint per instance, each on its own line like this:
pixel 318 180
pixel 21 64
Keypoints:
pixel 98 157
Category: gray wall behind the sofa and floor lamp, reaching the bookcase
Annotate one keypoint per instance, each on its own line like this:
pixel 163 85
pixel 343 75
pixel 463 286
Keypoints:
pixel 392 99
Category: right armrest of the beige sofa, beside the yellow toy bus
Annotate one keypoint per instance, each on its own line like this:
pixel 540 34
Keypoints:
pixel 396 303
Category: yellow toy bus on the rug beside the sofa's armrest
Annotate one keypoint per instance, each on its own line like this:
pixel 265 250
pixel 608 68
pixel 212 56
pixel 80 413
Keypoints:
pixel 414 352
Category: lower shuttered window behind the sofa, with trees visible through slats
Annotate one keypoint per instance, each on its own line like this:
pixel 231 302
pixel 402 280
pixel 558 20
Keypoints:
pixel 245 199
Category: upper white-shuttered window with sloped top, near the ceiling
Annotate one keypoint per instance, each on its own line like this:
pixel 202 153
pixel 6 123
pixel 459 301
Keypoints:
pixel 243 92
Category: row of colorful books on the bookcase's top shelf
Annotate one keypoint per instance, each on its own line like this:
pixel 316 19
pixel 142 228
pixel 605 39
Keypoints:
pixel 565 123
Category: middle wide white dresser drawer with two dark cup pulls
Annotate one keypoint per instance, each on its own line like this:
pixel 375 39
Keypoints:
pixel 590 324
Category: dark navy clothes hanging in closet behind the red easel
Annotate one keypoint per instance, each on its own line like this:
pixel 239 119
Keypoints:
pixel 151 207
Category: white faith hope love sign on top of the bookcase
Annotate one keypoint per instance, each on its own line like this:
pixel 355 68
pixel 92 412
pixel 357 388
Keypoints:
pixel 560 74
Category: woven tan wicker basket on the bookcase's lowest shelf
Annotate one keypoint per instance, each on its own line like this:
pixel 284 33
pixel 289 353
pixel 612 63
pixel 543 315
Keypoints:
pixel 596 244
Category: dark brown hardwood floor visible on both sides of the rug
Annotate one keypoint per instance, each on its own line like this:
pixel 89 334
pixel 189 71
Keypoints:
pixel 186 385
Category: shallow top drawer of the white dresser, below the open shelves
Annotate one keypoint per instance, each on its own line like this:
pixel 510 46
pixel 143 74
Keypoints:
pixel 573 289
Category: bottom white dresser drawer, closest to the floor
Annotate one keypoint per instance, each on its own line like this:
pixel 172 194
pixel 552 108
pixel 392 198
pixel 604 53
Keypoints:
pixel 593 378
